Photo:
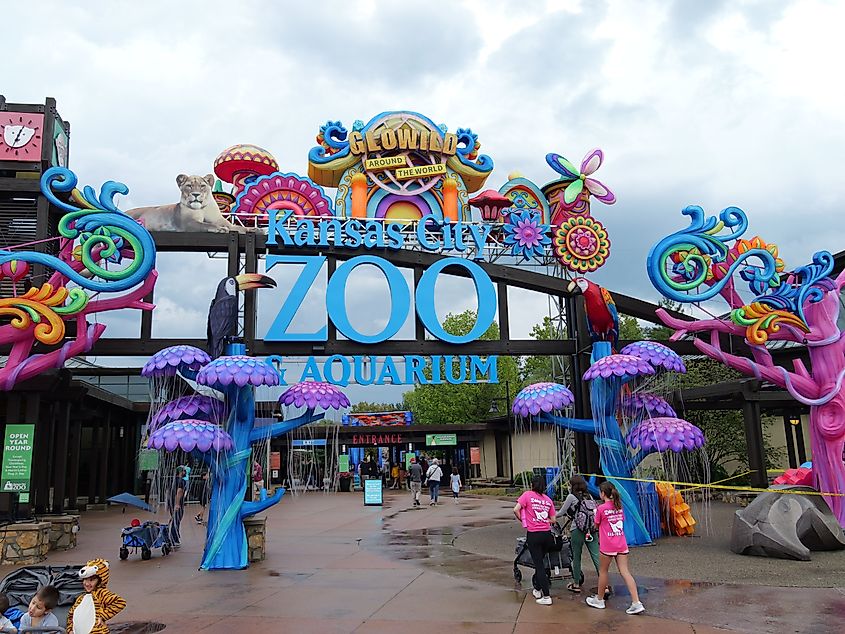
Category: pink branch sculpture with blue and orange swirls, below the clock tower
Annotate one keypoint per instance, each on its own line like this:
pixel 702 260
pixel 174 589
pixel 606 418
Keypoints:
pixel 101 251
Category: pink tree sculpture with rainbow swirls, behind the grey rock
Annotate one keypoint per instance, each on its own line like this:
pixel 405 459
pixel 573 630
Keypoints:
pixel 711 258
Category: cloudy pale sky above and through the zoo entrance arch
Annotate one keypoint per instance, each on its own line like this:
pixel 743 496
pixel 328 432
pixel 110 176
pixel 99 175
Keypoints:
pixel 711 103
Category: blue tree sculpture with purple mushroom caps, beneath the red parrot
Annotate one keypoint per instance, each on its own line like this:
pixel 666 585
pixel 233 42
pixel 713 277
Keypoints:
pixel 608 374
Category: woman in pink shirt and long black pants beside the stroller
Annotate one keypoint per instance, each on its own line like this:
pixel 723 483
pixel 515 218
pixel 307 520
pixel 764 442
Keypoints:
pixel 536 511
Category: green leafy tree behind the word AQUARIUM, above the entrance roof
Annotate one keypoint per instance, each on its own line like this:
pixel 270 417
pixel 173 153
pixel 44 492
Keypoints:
pixel 466 402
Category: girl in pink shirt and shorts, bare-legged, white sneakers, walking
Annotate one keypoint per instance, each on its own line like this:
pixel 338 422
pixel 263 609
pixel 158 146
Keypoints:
pixel 610 521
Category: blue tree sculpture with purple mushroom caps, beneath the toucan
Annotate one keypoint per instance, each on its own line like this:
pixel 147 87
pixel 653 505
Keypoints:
pixel 221 433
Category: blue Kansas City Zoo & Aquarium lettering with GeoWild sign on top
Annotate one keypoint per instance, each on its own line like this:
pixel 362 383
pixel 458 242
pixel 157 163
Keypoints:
pixel 399 179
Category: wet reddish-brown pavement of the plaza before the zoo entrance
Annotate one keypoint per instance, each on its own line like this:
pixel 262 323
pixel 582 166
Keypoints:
pixel 334 565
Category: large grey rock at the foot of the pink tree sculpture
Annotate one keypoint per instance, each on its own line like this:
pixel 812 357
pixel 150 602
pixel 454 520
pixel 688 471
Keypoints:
pixel 786 526
